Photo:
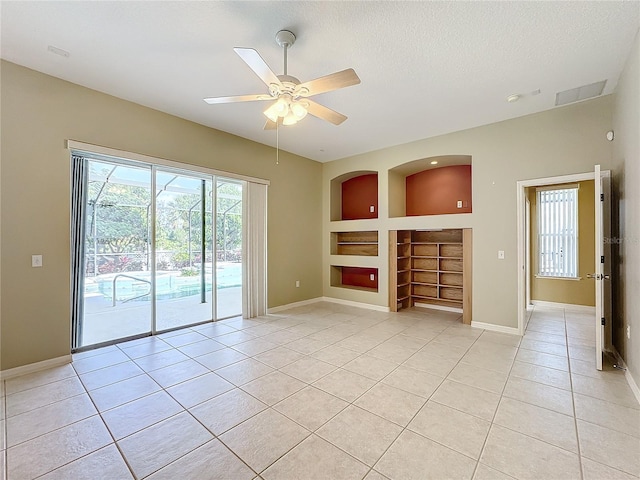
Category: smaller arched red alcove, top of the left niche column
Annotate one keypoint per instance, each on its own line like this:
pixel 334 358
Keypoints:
pixel 354 196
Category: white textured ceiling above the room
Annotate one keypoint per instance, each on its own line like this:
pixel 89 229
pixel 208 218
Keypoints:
pixel 427 68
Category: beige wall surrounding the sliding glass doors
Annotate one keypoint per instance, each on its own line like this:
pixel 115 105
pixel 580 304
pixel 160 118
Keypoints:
pixel 39 113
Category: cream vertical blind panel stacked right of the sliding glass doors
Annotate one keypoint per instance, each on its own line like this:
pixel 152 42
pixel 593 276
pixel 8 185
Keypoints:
pixel 254 293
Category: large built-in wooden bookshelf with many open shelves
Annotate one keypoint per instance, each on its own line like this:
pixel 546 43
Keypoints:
pixel 431 267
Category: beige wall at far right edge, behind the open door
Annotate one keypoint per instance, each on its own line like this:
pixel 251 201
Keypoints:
pixel 626 215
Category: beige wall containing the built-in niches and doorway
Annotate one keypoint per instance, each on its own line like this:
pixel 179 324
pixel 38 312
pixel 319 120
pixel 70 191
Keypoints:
pixel 561 141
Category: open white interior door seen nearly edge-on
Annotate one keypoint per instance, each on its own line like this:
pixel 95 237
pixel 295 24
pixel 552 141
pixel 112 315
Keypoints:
pixel 602 262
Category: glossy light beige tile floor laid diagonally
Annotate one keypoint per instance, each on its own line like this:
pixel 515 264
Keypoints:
pixel 328 391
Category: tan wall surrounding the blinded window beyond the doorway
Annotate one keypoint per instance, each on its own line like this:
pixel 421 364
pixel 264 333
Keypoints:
pixel 575 292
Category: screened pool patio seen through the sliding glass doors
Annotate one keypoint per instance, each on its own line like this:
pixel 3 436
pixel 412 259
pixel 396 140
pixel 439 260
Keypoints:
pixel 162 249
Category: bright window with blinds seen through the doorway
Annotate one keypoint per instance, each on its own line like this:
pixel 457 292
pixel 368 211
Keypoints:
pixel 558 232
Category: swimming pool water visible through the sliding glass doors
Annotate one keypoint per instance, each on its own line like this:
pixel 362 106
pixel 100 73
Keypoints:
pixel 169 284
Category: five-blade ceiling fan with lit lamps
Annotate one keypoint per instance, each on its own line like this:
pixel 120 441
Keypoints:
pixel 291 97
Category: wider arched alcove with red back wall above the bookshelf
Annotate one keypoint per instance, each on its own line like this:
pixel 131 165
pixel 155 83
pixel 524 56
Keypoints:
pixel 422 187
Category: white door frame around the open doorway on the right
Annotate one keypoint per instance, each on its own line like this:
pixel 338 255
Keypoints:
pixel 522 229
